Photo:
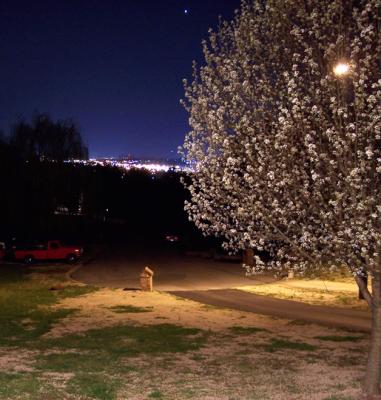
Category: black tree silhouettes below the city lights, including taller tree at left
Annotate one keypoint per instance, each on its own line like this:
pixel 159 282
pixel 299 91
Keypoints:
pixel 40 195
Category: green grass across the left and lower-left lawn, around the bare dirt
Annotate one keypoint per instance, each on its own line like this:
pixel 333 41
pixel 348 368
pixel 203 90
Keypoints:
pixel 98 358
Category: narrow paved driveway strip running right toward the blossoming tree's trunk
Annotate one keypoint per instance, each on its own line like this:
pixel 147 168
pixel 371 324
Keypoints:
pixel 239 300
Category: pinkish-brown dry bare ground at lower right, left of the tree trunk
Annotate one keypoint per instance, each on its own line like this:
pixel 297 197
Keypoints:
pixel 239 369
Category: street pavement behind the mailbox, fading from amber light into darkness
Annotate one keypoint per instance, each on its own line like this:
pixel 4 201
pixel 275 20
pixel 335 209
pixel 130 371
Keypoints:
pixel 120 268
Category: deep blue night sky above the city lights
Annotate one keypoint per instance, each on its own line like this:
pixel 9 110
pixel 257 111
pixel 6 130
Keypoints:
pixel 115 67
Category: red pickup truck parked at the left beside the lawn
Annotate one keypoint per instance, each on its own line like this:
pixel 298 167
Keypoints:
pixel 50 250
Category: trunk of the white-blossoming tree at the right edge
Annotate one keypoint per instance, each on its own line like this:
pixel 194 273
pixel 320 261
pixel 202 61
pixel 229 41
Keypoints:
pixel 373 369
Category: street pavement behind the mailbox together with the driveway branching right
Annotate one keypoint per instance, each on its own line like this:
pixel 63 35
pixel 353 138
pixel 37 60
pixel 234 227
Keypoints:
pixel 209 282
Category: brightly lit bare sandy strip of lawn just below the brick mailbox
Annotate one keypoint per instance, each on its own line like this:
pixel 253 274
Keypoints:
pixel 95 311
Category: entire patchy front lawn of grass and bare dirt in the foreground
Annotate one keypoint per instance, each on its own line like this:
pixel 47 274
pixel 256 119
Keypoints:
pixel 59 340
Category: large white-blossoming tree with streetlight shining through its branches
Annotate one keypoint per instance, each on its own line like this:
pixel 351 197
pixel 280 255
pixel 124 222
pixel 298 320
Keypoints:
pixel 286 140
